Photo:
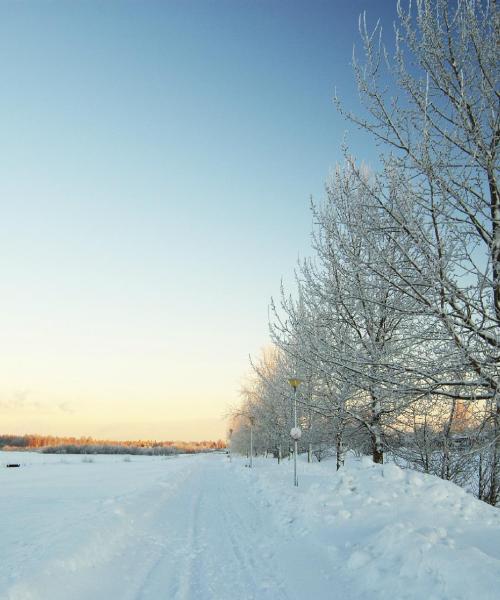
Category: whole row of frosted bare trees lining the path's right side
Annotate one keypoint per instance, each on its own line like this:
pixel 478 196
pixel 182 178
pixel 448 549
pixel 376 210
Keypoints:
pixel 394 326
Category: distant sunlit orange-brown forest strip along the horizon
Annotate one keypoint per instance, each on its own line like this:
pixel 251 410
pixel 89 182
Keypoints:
pixel 87 445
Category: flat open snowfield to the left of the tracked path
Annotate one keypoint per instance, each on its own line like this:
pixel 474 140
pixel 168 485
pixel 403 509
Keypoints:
pixel 65 518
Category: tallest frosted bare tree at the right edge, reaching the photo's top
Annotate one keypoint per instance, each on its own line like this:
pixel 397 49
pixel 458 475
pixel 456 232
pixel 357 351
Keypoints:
pixel 440 125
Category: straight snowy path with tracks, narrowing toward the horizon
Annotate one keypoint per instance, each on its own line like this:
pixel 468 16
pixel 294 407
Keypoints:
pixel 212 545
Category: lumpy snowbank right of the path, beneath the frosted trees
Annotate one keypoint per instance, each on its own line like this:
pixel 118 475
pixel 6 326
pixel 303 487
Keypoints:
pixel 390 533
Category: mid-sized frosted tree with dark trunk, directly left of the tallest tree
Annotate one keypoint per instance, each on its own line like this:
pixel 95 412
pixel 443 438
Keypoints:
pixel 375 320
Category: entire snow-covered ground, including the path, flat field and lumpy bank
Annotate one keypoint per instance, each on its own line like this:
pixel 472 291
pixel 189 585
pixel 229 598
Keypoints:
pixel 201 527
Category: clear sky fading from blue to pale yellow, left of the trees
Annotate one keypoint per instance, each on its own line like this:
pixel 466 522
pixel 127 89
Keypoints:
pixel 156 164
